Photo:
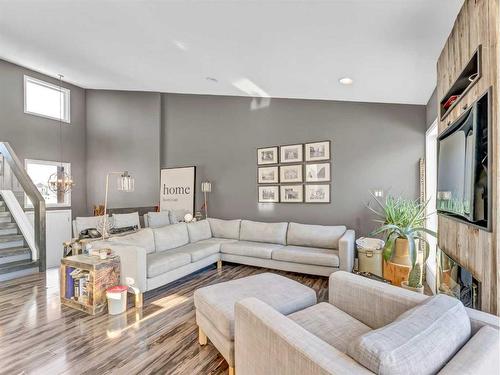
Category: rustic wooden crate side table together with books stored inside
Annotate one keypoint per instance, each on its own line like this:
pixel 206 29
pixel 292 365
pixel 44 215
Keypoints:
pixel 84 280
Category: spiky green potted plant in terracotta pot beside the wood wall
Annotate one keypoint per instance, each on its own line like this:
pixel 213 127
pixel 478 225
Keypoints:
pixel 402 224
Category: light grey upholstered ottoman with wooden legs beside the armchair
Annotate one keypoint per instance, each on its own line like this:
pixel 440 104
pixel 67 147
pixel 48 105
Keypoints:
pixel 215 306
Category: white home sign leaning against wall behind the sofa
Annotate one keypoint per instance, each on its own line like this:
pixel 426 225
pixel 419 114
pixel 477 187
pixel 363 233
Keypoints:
pixel 177 189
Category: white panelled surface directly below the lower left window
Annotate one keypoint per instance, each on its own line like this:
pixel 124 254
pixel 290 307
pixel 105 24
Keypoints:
pixel 58 227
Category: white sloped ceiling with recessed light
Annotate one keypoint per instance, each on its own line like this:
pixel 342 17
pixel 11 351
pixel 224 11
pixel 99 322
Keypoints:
pixel 293 49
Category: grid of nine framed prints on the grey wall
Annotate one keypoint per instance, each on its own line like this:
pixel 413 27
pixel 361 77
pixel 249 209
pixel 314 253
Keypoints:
pixel 296 173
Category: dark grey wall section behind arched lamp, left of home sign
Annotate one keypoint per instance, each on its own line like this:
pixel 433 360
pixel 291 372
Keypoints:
pixel 123 133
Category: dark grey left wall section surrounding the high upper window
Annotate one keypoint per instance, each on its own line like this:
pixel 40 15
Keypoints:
pixel 34 137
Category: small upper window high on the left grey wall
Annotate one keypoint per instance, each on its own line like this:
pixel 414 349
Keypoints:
pixel 46 100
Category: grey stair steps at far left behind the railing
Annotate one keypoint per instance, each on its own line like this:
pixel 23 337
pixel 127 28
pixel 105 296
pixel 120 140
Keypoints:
pixel 15 255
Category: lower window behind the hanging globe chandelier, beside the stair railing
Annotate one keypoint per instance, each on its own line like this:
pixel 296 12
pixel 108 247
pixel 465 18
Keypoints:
pixel 40 171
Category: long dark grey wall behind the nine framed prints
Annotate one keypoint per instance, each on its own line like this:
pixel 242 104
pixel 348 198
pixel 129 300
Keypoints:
pixel 373 146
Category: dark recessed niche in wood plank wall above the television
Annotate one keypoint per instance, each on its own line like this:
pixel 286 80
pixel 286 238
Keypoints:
pixel 468 78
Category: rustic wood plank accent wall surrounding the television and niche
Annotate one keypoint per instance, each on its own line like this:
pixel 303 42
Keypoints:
pixel 478 250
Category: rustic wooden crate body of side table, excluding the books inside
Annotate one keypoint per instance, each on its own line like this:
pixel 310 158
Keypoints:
pixel 103 274
